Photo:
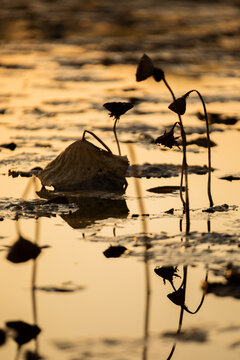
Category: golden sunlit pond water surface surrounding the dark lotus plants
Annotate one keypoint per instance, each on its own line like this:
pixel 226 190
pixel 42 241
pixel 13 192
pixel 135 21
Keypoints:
pixel 81 301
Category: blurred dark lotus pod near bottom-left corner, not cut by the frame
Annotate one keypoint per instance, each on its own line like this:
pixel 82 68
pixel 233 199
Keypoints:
pixel 24 331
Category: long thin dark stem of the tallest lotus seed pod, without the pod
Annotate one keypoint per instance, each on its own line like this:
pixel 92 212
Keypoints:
pixel 184 165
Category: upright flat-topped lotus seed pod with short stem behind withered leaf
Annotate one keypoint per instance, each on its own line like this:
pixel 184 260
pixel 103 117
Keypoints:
pixel 116 110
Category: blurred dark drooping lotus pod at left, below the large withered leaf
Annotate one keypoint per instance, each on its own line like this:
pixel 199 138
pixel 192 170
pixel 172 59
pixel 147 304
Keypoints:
pixel 23 250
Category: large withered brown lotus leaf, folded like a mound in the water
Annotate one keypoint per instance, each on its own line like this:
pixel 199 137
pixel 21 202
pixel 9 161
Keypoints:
pixel 83 165
